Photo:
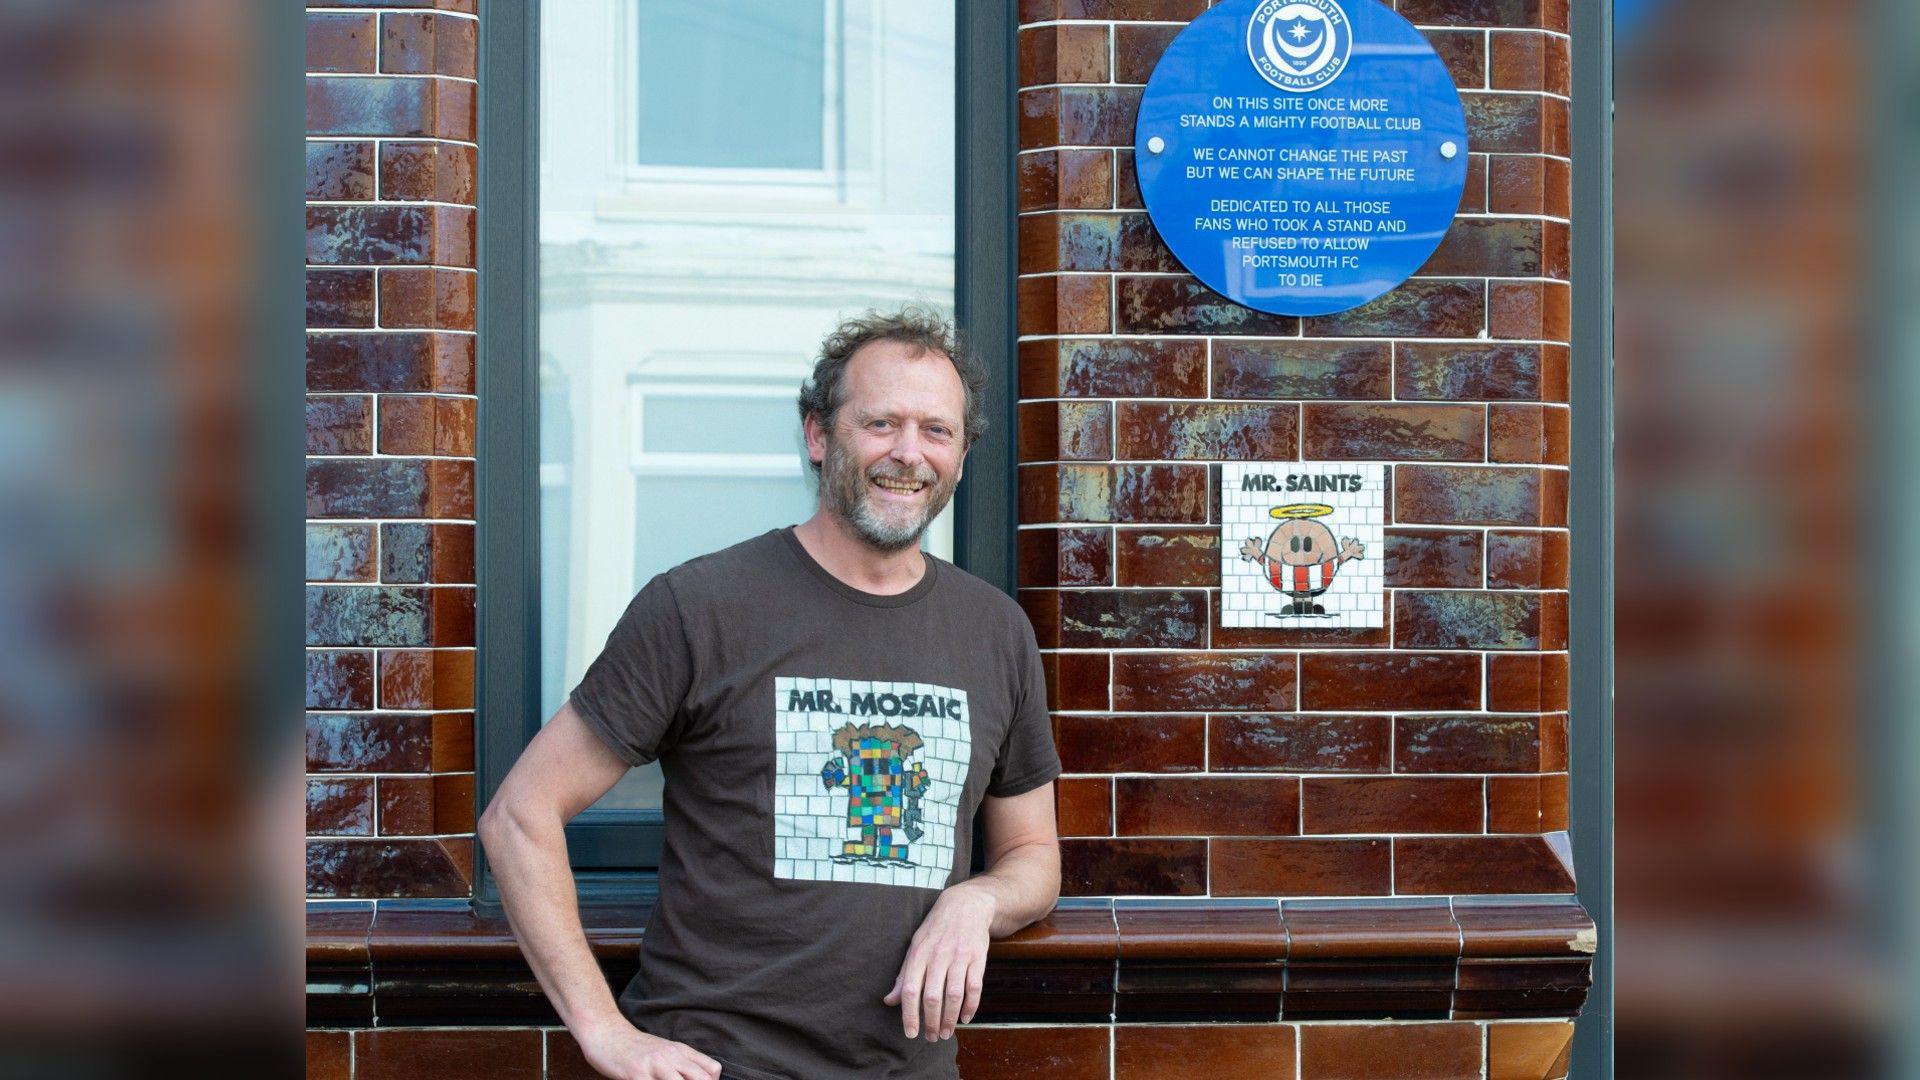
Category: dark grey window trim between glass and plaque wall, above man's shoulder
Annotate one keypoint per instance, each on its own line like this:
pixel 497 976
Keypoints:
pixel 986 282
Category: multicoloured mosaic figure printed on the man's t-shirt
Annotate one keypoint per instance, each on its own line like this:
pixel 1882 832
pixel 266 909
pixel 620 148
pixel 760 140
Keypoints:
pixel 884 791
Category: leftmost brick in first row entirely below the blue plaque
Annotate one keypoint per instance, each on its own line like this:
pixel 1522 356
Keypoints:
pixel 1109 368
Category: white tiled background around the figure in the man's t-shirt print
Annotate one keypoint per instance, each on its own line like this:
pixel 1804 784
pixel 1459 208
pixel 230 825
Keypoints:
pixel 811 820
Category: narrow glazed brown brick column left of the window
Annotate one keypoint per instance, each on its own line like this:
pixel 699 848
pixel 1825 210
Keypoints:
pixel 391 449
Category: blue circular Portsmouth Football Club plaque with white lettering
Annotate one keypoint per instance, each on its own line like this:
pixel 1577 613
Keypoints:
pixel 1301 157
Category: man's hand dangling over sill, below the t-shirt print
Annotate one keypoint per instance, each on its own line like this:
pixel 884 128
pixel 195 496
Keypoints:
pixel 940 983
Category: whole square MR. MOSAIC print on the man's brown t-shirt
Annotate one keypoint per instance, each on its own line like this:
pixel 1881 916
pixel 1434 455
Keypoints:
pixel 869 781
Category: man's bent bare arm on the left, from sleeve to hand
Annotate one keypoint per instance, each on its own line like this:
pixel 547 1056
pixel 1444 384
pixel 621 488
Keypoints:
pixel 562 773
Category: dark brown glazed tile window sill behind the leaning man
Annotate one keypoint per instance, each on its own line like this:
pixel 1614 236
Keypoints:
pixel 1090 962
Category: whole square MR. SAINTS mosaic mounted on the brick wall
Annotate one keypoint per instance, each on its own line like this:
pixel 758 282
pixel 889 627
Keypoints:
pixel 1303 545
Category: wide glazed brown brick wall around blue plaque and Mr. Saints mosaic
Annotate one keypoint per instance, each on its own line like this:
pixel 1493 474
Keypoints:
pixel 1426 758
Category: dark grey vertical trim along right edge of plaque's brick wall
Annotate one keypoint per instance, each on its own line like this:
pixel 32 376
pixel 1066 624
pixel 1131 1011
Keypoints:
pixel 1591 520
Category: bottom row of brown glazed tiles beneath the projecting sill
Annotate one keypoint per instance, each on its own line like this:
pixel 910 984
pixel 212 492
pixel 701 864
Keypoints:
pixel 1464 1050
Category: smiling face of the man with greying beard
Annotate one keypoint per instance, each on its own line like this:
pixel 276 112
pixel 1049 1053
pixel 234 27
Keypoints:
pixel 894 456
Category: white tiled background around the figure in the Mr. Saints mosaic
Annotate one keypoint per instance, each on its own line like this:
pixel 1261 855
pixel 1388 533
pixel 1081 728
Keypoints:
pixel 1356 597
